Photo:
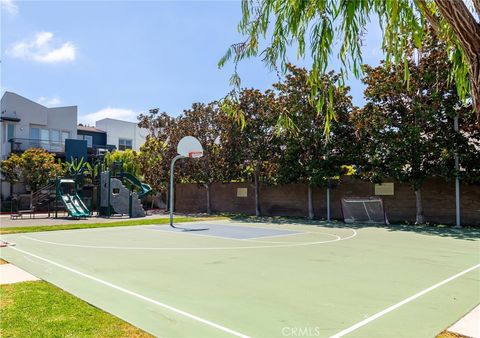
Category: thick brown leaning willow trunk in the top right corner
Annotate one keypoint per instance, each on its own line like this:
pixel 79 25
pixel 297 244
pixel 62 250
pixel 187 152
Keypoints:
pixel 467 30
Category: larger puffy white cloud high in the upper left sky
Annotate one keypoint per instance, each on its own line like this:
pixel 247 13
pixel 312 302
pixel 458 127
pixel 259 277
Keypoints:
pixel 43 48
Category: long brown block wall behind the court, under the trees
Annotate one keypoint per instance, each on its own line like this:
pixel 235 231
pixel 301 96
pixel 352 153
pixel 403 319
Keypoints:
pixel 292 200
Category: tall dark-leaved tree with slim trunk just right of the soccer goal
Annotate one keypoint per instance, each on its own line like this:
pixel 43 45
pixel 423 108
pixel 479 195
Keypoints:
pixel 406 132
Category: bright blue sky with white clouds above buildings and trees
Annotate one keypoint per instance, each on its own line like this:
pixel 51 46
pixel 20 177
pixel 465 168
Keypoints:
pixel 117 59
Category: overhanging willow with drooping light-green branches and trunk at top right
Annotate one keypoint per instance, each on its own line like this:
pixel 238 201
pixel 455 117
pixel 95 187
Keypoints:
pixel 316 26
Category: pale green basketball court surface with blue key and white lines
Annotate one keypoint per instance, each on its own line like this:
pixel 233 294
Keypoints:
pixel 264 280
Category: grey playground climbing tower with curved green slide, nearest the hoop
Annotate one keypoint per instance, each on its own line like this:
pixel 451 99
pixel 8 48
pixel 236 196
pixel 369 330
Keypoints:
pixel 120 193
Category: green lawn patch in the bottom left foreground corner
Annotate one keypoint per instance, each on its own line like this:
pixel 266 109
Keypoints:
pixel 39 309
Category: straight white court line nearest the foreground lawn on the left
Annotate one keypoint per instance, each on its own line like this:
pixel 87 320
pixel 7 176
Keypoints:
pixel 137 295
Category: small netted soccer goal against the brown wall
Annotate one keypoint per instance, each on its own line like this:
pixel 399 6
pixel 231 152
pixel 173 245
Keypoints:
pixel 364 210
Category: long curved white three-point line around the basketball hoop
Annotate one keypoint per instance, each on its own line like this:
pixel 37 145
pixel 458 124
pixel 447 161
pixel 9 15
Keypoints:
pixel 290 244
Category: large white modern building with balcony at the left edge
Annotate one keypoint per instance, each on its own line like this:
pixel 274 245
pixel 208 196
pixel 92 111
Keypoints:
pixel 25 124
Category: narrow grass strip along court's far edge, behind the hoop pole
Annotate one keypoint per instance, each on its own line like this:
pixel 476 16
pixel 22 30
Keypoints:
pixel 37 228
